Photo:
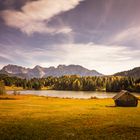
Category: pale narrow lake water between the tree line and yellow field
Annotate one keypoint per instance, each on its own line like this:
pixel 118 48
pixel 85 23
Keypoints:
pixel 69 94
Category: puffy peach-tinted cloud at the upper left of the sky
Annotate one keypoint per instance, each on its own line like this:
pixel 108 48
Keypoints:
pixel 34 16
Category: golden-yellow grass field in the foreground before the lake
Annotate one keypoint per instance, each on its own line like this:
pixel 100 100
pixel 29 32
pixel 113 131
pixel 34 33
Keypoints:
pixel 42 118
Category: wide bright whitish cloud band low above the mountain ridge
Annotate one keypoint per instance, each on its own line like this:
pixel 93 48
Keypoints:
pixel 105 59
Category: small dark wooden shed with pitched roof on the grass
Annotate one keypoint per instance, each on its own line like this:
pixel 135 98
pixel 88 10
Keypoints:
pixel 125 99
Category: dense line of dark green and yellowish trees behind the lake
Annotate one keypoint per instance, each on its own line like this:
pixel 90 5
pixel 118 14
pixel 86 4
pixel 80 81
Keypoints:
pixel 76 83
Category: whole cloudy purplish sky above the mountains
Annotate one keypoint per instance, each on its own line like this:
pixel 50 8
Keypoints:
pixel 103 35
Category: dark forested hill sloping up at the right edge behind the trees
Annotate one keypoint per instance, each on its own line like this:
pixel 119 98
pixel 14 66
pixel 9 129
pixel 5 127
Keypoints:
pixel 134 73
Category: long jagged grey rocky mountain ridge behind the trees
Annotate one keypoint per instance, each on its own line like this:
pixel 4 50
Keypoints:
pixel 39 72
